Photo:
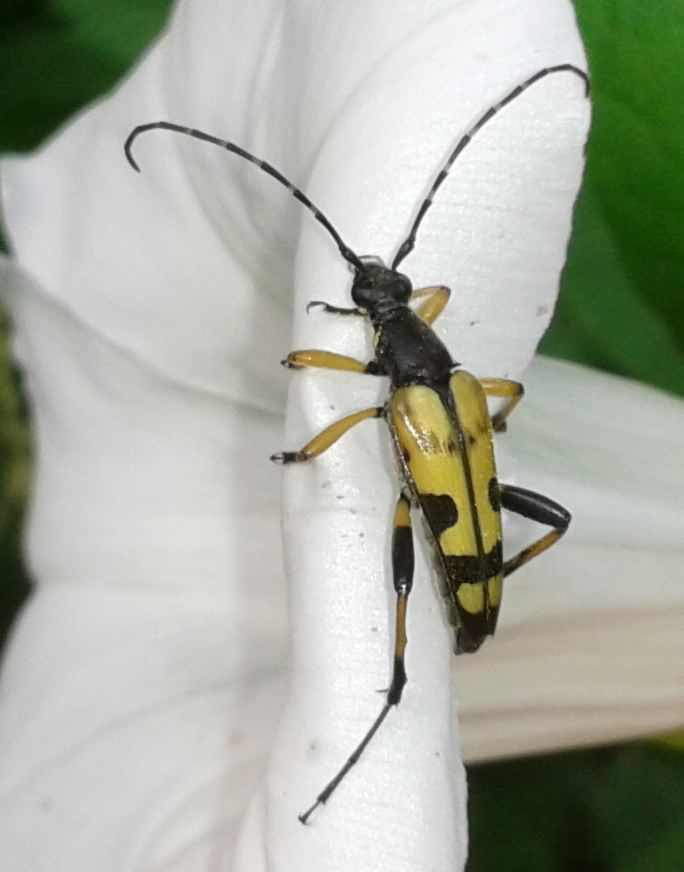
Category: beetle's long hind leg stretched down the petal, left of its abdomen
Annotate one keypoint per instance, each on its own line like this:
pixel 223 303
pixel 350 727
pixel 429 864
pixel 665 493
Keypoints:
pixel 402 562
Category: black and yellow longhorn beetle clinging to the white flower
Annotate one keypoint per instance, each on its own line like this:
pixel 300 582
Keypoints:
pixel 440 427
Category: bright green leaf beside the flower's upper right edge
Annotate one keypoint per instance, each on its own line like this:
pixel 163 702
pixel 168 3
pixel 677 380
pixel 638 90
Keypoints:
pixel 621 300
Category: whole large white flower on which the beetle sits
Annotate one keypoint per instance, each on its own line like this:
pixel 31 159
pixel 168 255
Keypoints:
pixel 144 685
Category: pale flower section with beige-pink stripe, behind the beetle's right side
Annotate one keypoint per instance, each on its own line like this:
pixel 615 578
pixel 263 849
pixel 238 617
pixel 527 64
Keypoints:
pixel 589 646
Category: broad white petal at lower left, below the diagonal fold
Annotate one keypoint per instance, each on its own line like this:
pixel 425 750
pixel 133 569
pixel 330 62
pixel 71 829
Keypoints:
pixel 154 644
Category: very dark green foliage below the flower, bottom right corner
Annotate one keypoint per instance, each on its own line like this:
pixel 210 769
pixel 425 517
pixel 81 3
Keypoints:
pixel 609 810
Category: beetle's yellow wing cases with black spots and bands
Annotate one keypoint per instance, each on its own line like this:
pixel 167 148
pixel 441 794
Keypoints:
pixel 446 452
